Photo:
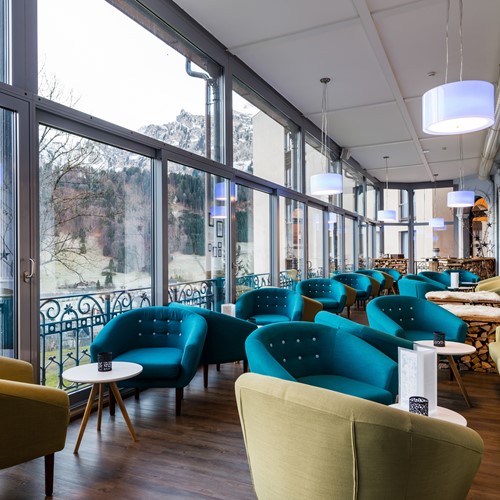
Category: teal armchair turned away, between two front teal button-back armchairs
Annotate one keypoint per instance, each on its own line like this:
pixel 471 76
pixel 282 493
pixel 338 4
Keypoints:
pixel 225 340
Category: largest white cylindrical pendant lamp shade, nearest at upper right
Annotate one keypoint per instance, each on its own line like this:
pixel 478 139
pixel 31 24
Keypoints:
pixel 458 107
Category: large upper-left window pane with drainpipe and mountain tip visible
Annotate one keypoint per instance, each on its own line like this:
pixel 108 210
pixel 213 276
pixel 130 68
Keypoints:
pixel 121 63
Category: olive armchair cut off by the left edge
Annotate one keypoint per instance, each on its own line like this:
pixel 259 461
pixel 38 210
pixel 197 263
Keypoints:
pixel 33 418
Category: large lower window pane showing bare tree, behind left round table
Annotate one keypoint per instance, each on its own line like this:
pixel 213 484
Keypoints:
pixel 96 234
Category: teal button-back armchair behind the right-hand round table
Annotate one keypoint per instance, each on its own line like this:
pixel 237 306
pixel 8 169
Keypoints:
pixel 413 318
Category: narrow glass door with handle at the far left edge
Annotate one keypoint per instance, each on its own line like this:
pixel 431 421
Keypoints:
pixel 17 268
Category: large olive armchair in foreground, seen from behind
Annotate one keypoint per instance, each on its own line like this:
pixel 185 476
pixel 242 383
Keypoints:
pixel 308 442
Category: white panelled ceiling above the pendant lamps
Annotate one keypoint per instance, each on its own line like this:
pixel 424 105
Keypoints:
pixel 379 54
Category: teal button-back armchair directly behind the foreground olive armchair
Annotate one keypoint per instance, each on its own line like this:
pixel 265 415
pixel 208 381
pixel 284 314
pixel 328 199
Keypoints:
pixel 300 350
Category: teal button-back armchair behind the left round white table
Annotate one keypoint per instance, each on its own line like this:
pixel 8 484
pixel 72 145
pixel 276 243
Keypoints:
pixel 167 342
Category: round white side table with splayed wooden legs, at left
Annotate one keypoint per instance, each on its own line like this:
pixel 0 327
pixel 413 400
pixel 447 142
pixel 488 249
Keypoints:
pixel 88 374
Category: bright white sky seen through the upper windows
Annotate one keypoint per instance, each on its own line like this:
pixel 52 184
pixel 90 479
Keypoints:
pixel 117 70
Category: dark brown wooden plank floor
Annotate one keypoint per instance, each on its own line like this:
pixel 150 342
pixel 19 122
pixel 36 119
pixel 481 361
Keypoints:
pixel 201 454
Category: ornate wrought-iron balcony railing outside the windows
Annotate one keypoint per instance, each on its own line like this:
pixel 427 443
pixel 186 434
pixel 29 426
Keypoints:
pixel 69 323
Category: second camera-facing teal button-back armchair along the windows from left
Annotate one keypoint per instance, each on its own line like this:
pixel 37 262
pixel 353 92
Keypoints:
pixel 270 305
